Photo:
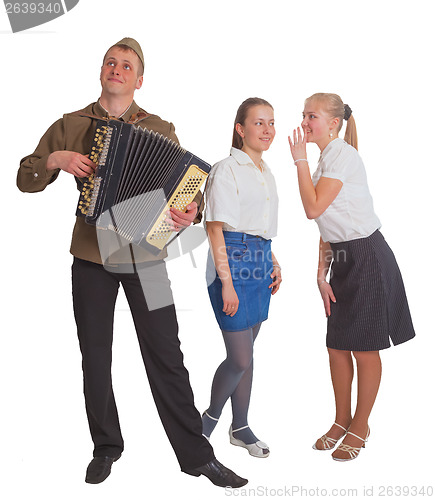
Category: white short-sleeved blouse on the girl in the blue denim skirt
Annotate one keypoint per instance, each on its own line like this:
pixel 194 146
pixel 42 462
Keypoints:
pixel 242 197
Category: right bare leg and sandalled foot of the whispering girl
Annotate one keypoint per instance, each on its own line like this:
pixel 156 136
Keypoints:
pixel 369 369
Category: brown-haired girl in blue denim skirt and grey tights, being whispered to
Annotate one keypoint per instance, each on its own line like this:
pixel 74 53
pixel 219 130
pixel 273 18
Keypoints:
pixel 243 273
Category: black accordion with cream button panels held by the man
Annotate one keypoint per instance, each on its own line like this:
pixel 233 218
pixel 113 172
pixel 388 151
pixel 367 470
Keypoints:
pixel 140 174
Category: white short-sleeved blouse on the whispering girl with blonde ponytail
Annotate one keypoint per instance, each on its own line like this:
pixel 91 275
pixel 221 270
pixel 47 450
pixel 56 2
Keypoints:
pixel 351 214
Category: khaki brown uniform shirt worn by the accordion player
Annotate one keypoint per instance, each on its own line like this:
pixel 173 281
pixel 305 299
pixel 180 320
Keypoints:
pixel 75 133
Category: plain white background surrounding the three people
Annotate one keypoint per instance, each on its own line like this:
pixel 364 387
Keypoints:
pixel 202 60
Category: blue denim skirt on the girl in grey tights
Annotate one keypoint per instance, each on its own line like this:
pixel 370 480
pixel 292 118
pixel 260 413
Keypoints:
pixel 250 261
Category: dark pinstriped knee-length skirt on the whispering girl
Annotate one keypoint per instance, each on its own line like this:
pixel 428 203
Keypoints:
pixel 371 306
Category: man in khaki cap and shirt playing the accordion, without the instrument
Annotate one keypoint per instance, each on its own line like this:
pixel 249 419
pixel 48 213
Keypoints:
pixel 95 280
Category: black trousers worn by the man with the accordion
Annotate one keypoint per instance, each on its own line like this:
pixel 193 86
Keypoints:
pixel 94 295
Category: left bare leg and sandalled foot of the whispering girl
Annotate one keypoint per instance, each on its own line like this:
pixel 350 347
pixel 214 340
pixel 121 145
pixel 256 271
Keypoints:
pixel 341 367
